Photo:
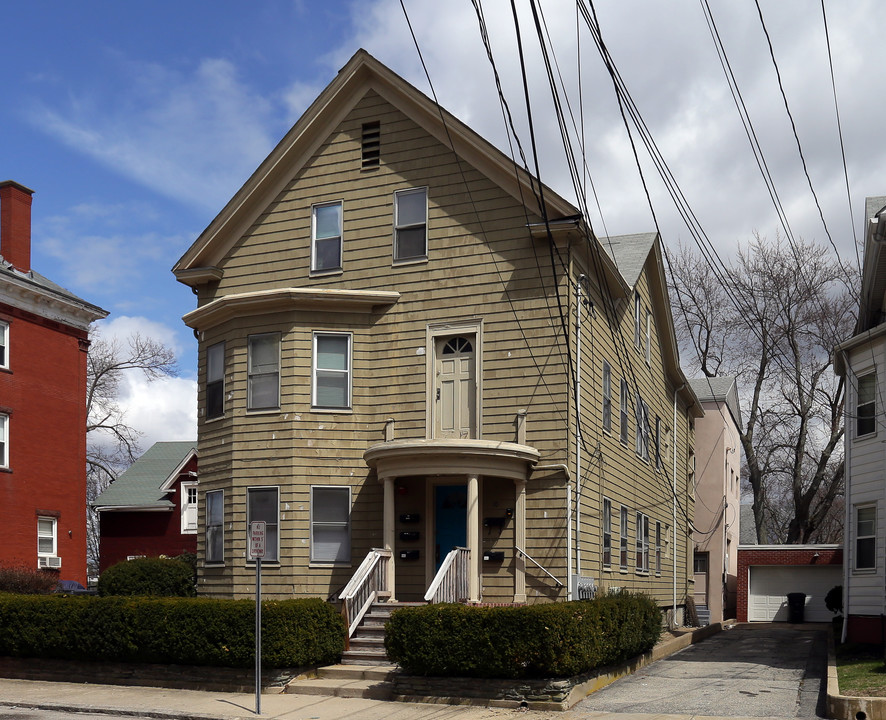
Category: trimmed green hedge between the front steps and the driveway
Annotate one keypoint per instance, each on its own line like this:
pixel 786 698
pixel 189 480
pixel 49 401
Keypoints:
pixel 548 640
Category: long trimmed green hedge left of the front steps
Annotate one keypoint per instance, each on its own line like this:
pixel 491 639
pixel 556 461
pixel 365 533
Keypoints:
pixel 189 631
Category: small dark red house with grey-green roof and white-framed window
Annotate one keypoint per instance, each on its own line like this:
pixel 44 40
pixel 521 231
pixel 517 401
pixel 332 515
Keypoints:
pixel 151 509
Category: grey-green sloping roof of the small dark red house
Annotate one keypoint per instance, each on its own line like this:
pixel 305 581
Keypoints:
pixel 146 484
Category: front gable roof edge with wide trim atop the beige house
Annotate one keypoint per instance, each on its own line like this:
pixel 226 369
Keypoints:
pixel 362 74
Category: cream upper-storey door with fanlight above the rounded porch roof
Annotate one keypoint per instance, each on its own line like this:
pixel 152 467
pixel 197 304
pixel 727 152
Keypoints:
pixel 455 411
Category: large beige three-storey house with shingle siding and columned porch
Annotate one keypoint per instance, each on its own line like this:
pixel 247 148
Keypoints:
pixel 403 352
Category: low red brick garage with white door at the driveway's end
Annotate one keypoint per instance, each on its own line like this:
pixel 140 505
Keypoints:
pixel 767 573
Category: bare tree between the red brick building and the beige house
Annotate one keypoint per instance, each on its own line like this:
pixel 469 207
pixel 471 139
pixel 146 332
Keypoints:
pixel 111 443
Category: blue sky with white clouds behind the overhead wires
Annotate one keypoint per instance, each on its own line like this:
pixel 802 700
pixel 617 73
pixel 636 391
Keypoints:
pixel 134 123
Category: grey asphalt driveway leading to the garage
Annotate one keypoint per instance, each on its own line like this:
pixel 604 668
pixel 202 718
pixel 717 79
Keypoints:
pixel 751 670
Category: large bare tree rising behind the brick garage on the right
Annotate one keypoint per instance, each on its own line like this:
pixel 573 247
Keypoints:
pixel 772 320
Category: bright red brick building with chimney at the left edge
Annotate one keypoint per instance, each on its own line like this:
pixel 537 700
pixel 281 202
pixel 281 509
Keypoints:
pixel 44 337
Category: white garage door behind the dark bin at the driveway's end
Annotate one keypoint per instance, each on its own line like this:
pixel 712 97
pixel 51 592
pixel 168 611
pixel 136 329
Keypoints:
pixel 769 585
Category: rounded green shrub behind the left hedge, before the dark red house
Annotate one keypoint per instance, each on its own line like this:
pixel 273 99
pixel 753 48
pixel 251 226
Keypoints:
pixel 159 577
